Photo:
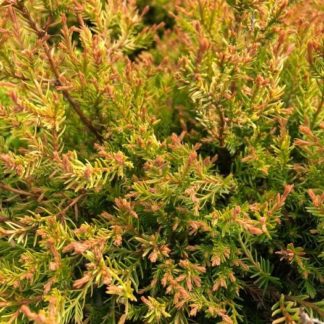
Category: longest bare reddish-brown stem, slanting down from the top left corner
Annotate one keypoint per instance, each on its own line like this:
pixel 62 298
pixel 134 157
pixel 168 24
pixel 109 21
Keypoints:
pixel 42 35
